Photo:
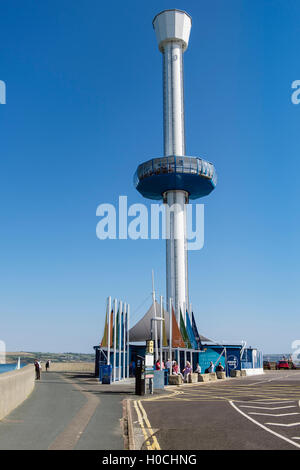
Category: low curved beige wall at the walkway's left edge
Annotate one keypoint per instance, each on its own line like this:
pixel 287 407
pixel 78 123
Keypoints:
pixel 15 387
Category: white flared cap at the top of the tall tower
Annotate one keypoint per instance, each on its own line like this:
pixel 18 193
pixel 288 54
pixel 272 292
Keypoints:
pixel 172 25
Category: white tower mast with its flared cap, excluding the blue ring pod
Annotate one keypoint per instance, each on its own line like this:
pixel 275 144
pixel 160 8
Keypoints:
pixel 172 28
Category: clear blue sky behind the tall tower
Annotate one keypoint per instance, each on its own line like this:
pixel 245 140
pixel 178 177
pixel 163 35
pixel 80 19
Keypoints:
pixel 84 108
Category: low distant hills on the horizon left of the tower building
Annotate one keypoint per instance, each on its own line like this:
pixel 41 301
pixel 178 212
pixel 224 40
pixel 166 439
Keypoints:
pixel 29 357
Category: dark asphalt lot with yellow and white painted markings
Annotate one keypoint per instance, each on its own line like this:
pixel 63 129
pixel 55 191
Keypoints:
pixel 251 413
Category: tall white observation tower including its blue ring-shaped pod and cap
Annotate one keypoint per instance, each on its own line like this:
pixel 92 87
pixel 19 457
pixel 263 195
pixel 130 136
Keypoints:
pixel 175 178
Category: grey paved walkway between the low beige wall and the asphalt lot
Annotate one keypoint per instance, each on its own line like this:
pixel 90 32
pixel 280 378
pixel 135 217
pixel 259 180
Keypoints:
pixel 67 411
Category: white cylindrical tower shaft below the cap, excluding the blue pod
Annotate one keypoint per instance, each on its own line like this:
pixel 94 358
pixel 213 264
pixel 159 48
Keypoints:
pixel 174 144
